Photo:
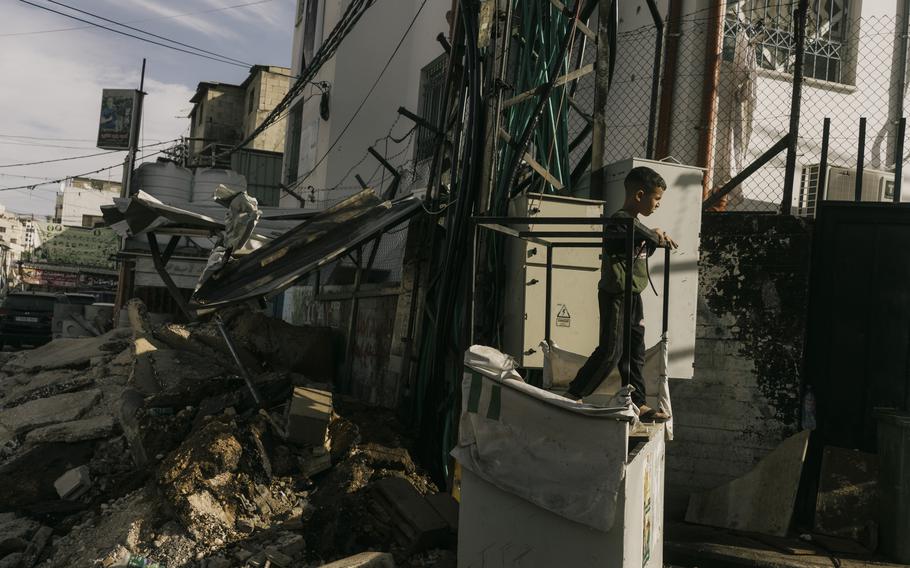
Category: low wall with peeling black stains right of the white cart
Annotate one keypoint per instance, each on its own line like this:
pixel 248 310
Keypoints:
pixel 744 397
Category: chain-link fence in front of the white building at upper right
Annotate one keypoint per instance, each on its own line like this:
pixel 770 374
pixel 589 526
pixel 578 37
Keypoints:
pixel 851 68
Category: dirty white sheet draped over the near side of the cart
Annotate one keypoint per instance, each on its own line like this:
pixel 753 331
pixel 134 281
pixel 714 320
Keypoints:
pixel 564 456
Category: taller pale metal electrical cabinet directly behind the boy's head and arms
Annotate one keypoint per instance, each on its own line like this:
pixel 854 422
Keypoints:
pixel 679 215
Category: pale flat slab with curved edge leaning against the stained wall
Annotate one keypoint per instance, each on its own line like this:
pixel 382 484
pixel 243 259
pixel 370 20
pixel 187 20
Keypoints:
pixel 760 501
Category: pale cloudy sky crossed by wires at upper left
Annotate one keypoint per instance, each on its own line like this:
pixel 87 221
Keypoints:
pixel 53 76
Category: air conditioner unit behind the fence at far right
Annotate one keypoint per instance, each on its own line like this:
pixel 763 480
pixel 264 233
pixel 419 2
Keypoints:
pixel 840 185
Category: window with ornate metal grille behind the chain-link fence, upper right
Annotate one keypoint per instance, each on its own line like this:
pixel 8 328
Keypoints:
pixel 769 25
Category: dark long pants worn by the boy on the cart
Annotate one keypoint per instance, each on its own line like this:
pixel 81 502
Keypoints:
pixel 609 351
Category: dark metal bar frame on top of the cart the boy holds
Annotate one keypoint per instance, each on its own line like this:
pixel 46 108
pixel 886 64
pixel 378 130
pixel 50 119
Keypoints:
pixel 612 230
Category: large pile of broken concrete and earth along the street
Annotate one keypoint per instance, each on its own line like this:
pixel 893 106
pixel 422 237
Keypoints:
pixel 145 447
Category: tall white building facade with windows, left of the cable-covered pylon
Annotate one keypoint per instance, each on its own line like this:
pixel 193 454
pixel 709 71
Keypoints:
pixel 330 125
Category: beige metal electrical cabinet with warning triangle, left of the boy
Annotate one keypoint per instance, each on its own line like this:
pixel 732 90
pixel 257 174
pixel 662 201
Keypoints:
pixel 574 319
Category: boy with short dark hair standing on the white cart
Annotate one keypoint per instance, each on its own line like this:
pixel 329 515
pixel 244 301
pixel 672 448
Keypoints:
pixel 644 190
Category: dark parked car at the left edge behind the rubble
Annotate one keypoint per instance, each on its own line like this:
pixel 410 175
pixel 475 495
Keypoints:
pixel 26 317
